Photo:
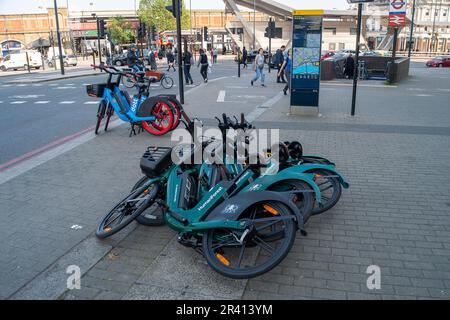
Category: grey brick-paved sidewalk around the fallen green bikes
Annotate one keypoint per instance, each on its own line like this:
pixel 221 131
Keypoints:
pixel 395 215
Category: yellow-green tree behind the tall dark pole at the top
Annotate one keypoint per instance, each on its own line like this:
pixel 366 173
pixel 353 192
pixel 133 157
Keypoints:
pixel 154 13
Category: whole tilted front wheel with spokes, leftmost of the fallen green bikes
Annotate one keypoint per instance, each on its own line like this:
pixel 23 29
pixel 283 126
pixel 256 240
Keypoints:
pixel 126 211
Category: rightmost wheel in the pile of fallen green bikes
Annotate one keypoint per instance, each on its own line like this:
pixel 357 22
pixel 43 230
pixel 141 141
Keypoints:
pixel 330 190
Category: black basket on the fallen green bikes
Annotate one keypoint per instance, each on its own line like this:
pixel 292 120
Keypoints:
pixel 155 160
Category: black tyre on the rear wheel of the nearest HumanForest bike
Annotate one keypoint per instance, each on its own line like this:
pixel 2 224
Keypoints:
pixel 218 261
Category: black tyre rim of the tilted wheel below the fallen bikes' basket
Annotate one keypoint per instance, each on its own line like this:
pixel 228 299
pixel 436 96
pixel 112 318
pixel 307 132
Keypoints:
pixel 104 230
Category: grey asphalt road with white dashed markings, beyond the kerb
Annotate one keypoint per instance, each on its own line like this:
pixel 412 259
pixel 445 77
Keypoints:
pixel 35 115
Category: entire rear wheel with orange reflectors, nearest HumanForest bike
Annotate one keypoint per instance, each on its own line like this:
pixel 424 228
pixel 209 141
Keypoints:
pixel 242 254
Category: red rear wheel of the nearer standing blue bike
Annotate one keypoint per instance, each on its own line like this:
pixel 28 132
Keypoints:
pixel 163 122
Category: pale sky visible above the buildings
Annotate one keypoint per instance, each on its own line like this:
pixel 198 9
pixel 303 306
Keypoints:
pixel 32 6
